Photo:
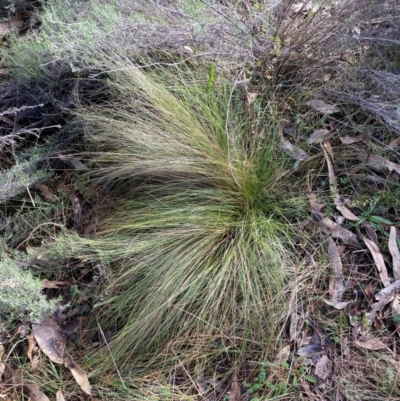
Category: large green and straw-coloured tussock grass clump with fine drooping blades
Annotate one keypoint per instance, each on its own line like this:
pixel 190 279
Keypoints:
pixel 195 230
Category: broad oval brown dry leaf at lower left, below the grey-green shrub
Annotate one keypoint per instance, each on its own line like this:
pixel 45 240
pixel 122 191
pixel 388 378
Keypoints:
pixel 50 339
